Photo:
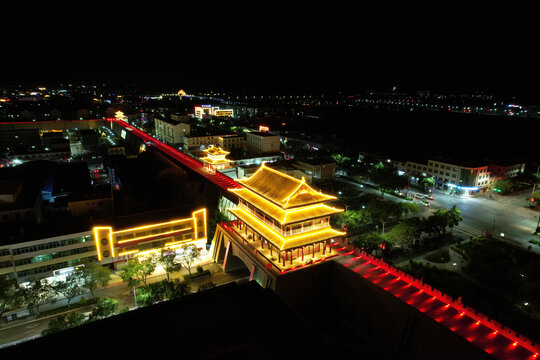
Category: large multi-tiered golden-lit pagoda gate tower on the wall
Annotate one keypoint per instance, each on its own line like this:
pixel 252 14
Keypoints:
pixel 284 218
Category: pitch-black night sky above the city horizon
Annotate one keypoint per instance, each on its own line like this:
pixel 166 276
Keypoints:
pixel 272 46
